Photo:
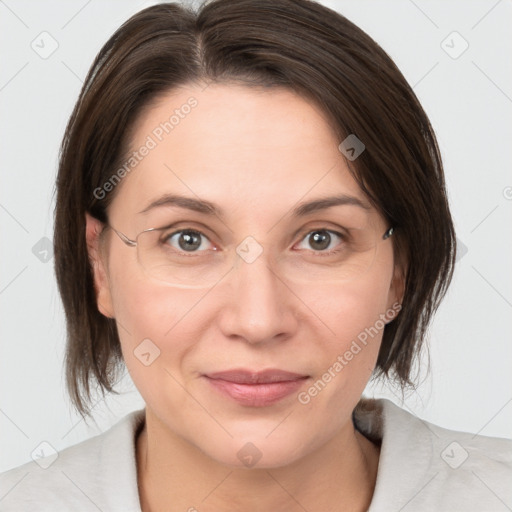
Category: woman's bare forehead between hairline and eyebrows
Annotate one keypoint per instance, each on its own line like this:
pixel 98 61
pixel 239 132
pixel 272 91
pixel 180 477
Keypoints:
pixel 251 150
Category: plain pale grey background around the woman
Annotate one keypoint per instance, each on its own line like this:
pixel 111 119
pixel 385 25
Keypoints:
pixel 468 98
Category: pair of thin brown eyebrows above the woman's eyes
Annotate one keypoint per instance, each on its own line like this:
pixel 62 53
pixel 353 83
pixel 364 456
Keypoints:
pixel 208 208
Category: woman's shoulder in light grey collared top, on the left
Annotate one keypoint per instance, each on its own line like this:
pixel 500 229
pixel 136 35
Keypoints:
pixel 81 477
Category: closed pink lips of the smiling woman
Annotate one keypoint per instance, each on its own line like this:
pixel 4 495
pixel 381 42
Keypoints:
pixel 253 388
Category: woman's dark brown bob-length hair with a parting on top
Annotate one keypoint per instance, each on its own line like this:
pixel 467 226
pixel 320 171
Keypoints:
pixel 297 44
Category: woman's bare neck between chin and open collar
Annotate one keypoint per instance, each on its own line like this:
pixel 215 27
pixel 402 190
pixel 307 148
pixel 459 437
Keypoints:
pixel 175 475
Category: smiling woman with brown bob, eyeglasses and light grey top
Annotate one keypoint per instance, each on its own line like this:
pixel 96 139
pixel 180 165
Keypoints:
pixel 245 199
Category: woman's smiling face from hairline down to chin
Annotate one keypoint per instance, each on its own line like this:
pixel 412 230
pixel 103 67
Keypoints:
pixel 257 156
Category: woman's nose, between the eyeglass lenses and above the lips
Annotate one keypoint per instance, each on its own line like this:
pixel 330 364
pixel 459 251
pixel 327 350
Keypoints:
pixel 259 306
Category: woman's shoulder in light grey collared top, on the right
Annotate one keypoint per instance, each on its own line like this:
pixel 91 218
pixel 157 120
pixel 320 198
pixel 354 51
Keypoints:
pixel 426 467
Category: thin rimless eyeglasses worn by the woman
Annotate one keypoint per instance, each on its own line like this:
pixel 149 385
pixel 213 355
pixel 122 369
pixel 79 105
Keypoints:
pixel 187 267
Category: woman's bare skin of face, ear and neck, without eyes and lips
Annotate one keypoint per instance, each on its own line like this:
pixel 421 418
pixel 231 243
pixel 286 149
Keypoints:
pixel 256 154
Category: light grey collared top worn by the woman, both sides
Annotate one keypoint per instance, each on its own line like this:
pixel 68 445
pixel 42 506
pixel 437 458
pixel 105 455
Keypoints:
pixel 422 468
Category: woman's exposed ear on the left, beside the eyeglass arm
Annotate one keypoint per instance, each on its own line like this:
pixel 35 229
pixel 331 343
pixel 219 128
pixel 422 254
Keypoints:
pixel 98 260
